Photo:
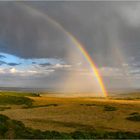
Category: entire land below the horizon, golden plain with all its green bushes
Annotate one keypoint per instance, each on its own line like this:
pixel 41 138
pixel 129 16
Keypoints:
pixel 68 117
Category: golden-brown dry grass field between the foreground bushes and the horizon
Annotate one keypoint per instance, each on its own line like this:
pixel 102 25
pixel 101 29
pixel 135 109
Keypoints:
pixel 71 114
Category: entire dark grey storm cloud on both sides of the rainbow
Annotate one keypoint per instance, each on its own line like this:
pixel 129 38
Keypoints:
pixel 99 26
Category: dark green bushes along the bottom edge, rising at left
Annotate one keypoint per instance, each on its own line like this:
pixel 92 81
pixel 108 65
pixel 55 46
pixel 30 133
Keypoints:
pixel 12 129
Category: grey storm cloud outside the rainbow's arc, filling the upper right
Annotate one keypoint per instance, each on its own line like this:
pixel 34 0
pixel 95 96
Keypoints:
pixel 99 26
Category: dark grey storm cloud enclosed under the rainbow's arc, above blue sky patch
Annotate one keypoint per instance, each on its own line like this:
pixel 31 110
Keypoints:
pixel 29 36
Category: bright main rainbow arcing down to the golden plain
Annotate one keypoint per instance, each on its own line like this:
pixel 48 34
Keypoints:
pixel 77 44
